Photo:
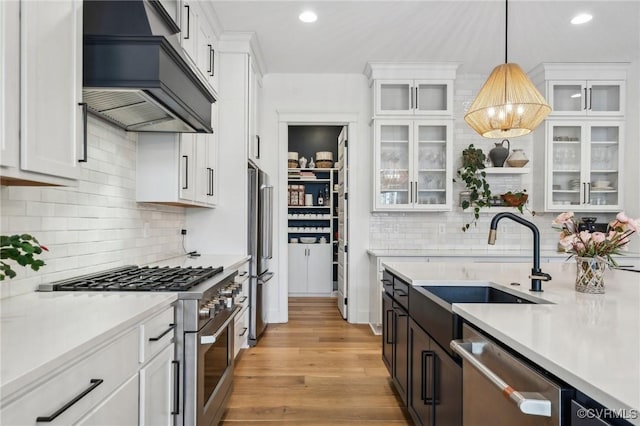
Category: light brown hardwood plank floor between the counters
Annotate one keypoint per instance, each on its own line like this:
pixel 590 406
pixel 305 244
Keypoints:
pixel 316 369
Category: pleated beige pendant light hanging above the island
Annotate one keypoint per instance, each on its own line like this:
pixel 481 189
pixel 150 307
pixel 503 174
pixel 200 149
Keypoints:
pixel 508 104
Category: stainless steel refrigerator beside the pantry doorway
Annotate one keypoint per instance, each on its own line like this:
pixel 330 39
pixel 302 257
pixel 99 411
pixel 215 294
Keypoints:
pixel 259 246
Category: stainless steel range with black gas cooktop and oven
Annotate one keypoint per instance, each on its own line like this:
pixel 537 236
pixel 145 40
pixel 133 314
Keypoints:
pixel 204 325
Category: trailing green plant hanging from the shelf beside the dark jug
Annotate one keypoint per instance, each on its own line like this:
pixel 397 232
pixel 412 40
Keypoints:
pixel 473 176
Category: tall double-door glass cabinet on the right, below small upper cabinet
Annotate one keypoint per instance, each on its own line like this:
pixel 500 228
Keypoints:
pixel 584 161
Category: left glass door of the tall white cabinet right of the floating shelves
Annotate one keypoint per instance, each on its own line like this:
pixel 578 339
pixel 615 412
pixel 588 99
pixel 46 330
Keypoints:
pixel 566 165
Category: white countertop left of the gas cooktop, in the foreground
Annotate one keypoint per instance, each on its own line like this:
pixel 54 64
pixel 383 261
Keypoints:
pixel 40 332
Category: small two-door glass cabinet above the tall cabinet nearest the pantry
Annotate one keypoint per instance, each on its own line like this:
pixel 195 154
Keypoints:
pixel 413 97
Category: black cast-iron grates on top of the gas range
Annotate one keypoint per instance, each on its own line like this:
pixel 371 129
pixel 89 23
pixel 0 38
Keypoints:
pixel 135 278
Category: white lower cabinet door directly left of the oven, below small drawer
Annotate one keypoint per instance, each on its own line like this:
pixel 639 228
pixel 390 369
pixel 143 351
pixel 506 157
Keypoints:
pixel 156 390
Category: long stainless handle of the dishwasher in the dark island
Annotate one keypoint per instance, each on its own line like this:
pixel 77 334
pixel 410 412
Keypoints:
pixel 528 402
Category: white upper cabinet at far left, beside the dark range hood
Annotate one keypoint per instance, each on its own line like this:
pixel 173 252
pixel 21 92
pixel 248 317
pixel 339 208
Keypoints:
pixel 51 126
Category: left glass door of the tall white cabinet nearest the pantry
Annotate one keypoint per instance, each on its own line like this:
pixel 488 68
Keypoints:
pixel 394 187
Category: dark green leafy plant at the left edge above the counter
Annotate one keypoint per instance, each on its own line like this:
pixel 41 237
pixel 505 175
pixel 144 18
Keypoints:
pixel 21 249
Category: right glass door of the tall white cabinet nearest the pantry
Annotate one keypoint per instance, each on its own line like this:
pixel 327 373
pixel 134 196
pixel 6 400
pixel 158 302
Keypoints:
pixel 431 165
